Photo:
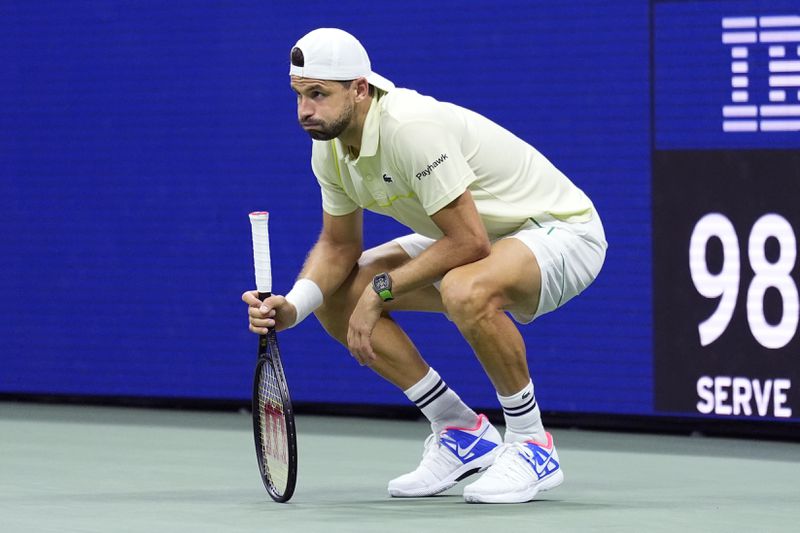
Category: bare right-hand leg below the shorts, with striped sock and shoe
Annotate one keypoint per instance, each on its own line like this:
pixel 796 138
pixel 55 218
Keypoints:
pixel 476 297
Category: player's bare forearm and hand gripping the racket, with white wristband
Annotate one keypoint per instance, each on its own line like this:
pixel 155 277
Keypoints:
pixel 328 264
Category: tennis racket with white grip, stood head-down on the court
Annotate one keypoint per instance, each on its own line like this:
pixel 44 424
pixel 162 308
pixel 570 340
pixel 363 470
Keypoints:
pixel 273 417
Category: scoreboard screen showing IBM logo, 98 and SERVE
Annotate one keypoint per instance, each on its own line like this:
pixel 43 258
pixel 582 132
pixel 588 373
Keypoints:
pixel 726 184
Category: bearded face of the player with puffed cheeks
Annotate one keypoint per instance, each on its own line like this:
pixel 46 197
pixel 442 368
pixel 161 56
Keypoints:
pixel 324 108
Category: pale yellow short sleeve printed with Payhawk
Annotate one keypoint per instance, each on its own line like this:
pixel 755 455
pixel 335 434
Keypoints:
pixel 430 159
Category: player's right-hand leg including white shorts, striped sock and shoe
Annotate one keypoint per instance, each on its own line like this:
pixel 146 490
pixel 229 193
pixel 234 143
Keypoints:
pixel 511 279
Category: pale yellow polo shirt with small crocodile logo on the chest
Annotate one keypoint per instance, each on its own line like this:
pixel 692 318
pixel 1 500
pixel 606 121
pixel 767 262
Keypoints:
pixel 419 154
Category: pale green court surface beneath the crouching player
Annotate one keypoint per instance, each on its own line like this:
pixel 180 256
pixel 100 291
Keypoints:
pixel 95 469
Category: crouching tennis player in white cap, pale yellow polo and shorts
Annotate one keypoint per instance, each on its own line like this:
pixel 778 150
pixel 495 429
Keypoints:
pixel 496 230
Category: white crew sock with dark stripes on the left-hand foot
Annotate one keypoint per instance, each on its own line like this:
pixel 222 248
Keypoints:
pixel 440 404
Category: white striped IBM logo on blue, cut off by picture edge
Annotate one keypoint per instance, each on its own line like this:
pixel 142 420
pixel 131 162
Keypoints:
pixel 779 36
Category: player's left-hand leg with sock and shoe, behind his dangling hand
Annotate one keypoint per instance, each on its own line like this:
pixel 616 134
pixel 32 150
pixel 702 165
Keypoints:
pixel 462 443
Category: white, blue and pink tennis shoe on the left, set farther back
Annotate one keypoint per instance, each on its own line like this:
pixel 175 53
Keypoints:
pixel 449 457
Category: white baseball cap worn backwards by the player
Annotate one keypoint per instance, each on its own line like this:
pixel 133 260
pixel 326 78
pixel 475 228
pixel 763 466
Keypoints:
pixel 334 54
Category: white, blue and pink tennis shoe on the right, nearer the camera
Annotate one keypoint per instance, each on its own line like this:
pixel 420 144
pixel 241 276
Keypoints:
pixel 519 472
